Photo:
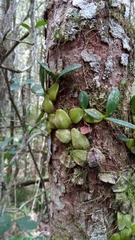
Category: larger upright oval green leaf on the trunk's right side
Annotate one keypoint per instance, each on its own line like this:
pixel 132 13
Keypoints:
pixel 112 101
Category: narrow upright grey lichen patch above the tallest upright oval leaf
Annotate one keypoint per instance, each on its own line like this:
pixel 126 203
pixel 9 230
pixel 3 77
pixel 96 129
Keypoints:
pixel 109 67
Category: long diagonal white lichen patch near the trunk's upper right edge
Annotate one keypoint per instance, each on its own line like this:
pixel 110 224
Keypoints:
pixel 117 31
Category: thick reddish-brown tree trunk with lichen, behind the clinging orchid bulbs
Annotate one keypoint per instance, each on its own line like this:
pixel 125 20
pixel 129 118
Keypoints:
pixel 95 34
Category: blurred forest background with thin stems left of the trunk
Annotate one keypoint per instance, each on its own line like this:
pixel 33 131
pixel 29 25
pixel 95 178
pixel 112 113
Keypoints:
pixel 23 168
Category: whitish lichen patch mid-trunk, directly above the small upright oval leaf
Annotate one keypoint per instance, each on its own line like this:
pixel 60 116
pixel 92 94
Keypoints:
pixel 93 59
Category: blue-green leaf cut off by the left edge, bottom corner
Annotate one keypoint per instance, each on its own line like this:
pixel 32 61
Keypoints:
pixel 5 224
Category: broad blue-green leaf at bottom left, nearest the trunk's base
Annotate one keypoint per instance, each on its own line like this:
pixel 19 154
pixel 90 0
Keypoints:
pixel 25 224
